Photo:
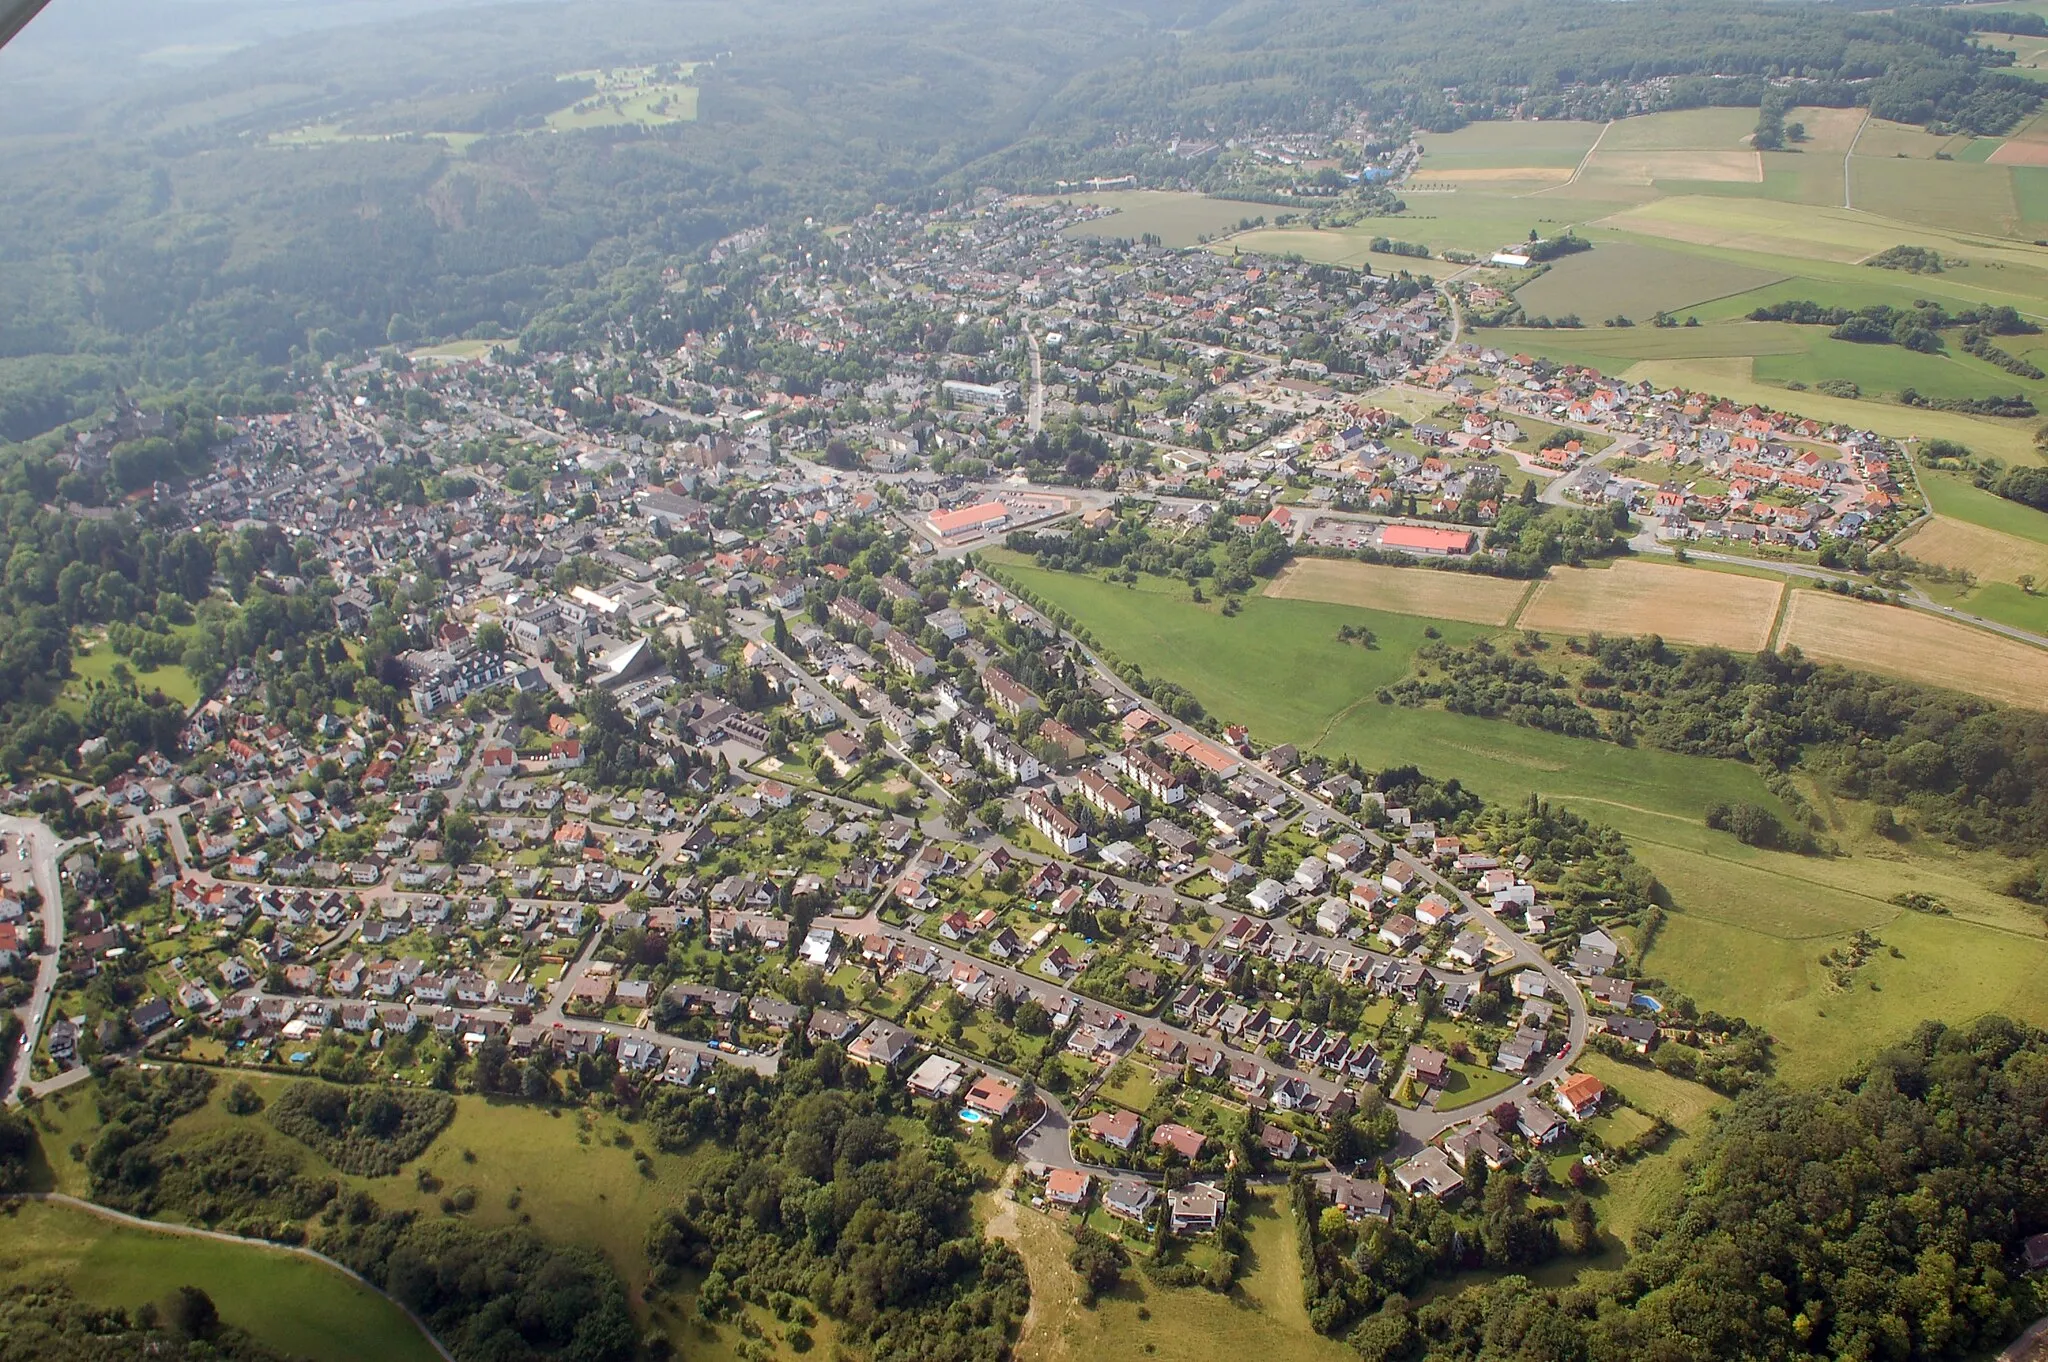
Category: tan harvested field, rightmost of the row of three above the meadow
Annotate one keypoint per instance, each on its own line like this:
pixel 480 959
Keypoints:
pixel 1916 646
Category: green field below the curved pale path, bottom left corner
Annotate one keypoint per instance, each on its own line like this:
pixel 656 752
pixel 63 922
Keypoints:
pixel 288 1302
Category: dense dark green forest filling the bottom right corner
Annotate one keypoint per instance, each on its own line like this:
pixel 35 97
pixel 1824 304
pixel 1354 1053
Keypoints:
pixel 1877 1220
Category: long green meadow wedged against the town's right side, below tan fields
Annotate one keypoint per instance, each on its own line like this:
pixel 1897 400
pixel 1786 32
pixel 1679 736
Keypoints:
pixel 1748 927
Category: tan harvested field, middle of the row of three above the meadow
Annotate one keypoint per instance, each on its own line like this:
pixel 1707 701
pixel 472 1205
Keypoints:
pixel 1682 605
